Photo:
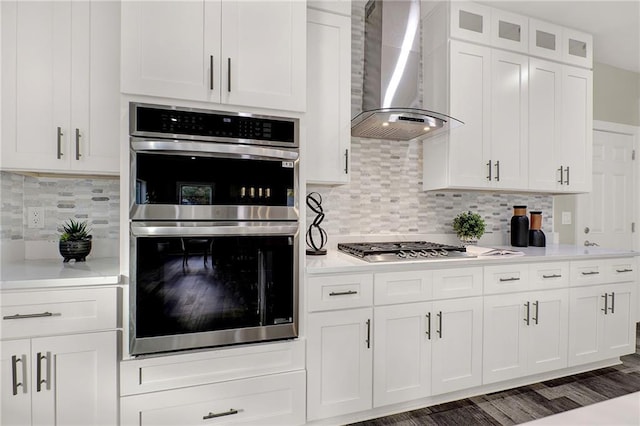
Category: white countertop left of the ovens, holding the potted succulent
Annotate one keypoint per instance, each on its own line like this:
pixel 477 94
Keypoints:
pixel 54 273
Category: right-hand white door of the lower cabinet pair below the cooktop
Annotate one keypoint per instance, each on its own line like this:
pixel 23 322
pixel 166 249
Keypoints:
pixel 456 355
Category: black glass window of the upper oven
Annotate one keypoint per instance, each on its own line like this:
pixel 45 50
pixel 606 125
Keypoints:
pixel 200 180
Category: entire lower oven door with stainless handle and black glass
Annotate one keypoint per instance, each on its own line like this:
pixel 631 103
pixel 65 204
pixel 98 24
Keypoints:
pixel 196 285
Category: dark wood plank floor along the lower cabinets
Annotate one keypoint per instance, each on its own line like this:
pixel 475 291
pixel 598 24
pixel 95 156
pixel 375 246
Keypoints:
pixel 528 403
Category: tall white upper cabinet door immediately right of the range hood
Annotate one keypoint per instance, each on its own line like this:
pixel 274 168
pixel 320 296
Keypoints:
pixel 470 87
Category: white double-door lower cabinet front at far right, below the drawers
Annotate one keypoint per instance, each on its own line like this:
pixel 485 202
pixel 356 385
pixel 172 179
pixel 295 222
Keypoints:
pixel 601 324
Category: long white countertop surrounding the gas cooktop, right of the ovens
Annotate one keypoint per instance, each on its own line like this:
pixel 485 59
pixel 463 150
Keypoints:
pixel 336 262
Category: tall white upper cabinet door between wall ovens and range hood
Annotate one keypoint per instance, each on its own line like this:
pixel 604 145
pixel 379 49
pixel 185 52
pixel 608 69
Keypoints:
pixel 328 97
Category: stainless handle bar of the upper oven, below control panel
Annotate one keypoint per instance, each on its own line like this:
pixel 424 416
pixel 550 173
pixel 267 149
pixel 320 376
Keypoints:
pixel 231 150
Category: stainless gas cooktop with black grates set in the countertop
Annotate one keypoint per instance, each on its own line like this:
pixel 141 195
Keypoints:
pixel 402 251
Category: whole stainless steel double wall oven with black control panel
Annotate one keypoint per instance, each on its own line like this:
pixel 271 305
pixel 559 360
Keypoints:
pixel 214 228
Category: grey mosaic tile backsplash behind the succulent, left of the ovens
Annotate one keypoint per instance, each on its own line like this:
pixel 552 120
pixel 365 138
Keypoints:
pixel 96 201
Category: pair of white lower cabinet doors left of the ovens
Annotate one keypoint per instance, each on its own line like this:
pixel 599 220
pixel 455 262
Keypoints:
pixel 60 380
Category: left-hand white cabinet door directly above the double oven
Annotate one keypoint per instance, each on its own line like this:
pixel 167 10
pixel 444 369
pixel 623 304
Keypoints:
pixel 182 63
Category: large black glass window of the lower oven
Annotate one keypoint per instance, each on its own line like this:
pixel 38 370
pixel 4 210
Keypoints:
pixel 191 285
